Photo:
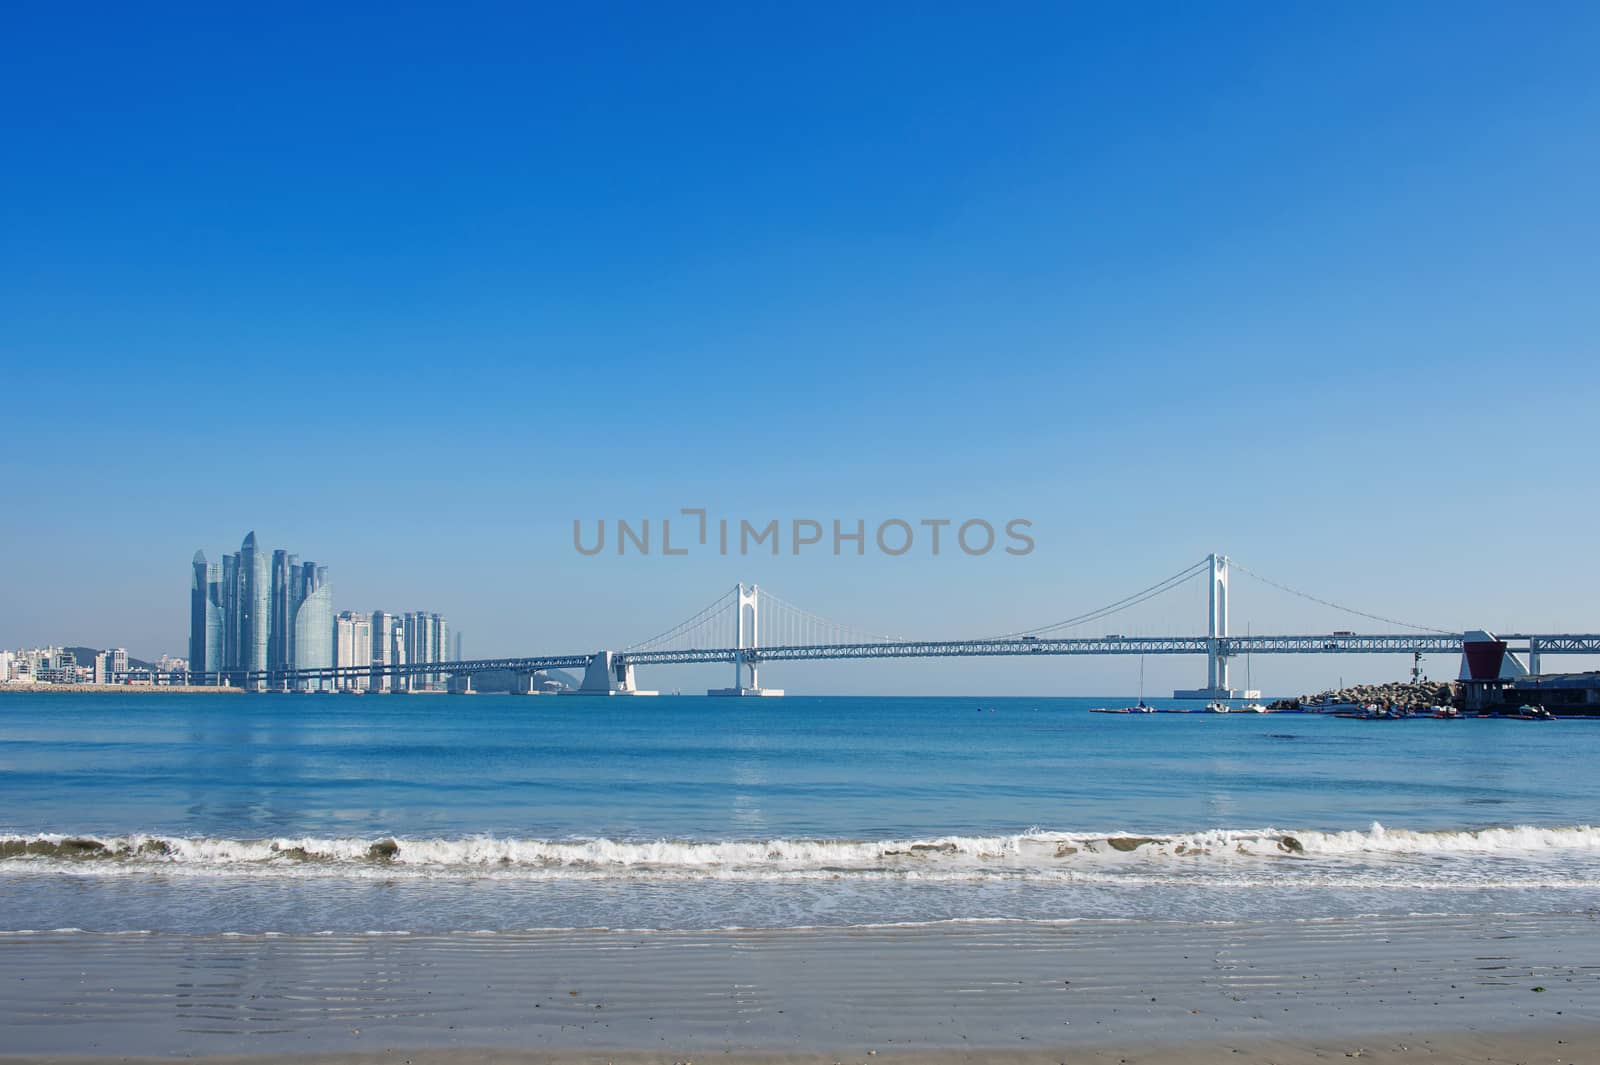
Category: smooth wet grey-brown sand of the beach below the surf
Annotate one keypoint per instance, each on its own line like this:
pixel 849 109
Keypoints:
pixel 1516 989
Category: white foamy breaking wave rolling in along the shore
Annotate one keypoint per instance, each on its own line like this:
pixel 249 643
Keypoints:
pixel 1036 853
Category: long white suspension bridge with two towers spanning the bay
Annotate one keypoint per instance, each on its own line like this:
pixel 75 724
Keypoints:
pixel 750 628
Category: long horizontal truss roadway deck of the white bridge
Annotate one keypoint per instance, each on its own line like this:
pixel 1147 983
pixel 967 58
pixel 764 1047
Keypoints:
pixel 1231 647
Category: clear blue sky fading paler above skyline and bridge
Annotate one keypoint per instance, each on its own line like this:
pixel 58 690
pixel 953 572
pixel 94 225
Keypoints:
pixel 410 290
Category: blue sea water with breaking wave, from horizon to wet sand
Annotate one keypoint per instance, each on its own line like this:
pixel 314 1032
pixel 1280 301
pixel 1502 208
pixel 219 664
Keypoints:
pixel 214 815
